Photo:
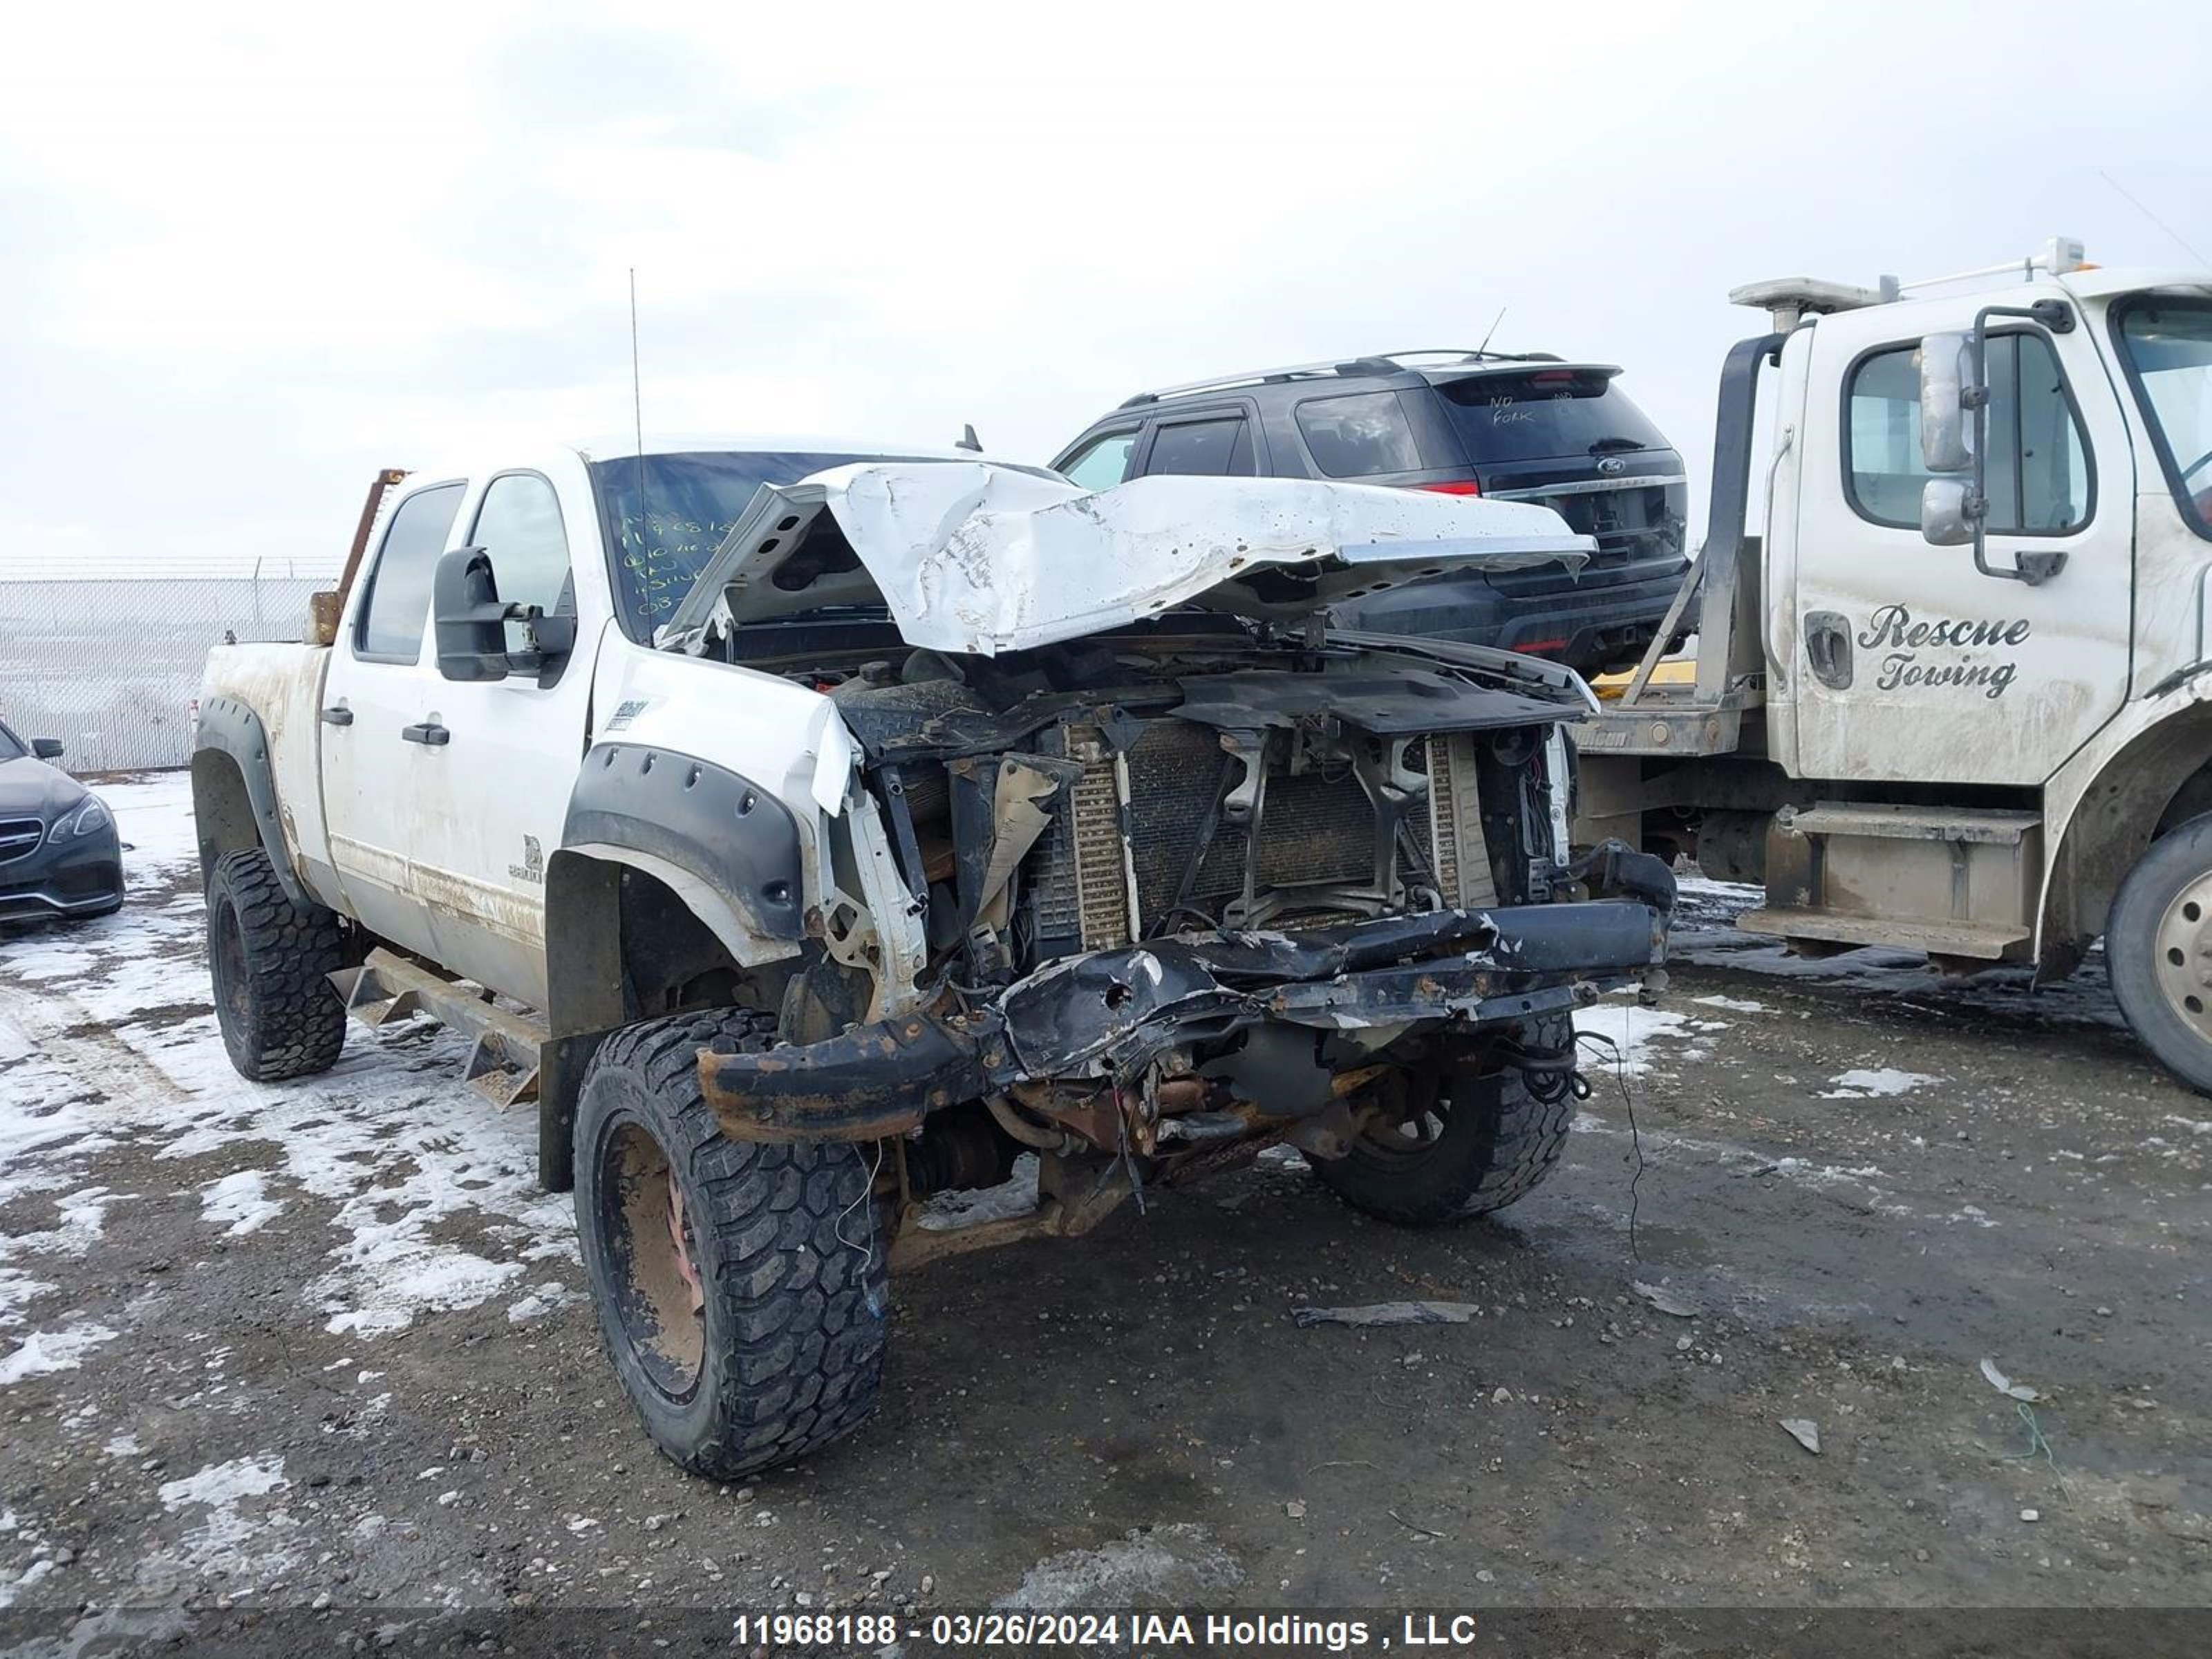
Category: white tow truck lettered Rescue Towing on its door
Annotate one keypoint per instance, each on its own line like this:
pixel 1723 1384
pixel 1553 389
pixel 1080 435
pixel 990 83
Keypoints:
pixel 1959 696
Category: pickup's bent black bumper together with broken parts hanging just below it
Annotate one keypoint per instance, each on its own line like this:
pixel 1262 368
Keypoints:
pixel 1109 1043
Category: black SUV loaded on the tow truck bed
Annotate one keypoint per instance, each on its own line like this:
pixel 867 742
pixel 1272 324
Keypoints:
pixel 1468 424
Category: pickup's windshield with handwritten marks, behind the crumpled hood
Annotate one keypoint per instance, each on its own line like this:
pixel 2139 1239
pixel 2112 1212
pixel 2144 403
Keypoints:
pixel 667 514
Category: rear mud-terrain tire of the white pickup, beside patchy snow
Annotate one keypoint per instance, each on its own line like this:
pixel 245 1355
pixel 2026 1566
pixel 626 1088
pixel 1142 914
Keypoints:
pixel 271 963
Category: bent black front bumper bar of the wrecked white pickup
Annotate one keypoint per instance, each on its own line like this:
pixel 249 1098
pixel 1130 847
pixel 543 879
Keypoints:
pixel 1112 1012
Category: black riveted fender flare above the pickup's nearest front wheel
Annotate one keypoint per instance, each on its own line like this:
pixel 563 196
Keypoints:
pixel 707 822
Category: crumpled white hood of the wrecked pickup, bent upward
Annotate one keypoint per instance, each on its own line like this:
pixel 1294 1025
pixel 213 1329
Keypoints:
pixel 979 559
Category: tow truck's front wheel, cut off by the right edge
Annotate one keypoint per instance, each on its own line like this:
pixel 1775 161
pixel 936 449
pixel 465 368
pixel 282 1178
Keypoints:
pixel 2158 946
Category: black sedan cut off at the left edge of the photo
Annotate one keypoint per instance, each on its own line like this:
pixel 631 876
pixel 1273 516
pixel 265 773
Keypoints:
pixel 59 851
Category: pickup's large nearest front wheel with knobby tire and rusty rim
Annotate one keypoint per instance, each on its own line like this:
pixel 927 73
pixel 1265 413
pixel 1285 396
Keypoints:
pixel 742 1288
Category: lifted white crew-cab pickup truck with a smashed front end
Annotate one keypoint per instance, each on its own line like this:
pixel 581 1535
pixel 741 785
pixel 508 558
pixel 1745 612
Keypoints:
pixel 808 831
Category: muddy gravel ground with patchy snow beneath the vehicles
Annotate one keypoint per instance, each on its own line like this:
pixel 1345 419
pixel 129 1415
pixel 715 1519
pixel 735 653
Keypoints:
pixel 324 1346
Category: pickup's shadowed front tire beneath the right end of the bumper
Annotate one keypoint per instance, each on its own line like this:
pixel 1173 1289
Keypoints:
pixel 1463 1145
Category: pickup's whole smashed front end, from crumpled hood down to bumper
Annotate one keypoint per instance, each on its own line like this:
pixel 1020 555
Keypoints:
pixel 1156 897
